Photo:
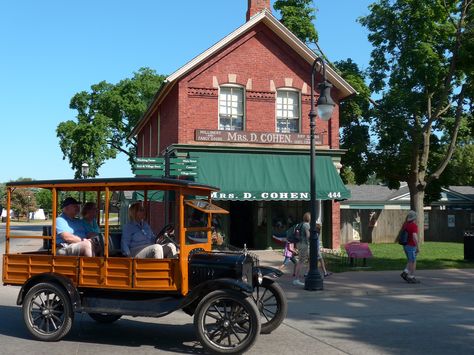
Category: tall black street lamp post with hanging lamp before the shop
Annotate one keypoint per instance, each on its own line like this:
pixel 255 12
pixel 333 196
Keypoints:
pixel 325 107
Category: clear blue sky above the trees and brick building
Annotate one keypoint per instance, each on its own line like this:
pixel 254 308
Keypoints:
pixel 52 49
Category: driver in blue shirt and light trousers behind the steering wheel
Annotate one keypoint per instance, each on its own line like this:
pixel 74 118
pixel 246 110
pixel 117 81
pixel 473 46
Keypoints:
pixel 138 240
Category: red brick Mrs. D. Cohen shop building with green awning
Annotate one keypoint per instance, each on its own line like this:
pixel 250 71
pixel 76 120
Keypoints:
pixel 241 110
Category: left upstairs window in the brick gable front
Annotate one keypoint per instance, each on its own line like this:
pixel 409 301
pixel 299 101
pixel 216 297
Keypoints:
pixel 231 108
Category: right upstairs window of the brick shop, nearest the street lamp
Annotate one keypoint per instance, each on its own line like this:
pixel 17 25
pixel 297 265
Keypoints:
pixel 288 111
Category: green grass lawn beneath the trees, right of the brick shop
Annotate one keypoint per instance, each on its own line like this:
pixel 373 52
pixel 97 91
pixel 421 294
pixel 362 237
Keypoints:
pixel 433 255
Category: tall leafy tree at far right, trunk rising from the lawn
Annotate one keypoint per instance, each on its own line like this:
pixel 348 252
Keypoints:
pixel 422 64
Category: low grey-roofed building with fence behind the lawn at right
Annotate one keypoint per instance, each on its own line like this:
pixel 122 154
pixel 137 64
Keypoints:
pixel 374 214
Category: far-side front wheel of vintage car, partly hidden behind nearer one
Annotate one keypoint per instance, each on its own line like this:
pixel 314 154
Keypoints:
pixel 271 303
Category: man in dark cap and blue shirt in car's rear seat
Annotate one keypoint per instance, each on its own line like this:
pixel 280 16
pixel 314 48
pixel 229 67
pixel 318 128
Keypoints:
pixel 71 232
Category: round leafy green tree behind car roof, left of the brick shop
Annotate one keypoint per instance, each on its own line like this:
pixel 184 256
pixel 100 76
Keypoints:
pixel 105 117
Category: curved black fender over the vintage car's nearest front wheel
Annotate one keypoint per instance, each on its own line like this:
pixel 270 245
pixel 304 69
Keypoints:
pixel 195 295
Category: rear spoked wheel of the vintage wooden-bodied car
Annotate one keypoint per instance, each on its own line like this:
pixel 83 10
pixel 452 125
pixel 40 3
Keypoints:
pixel 47 312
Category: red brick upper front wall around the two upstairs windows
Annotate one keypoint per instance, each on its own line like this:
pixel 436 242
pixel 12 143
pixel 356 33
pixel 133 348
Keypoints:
pixel 260 57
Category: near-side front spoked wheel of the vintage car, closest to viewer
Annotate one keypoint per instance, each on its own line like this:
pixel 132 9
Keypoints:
pixel 227 322
